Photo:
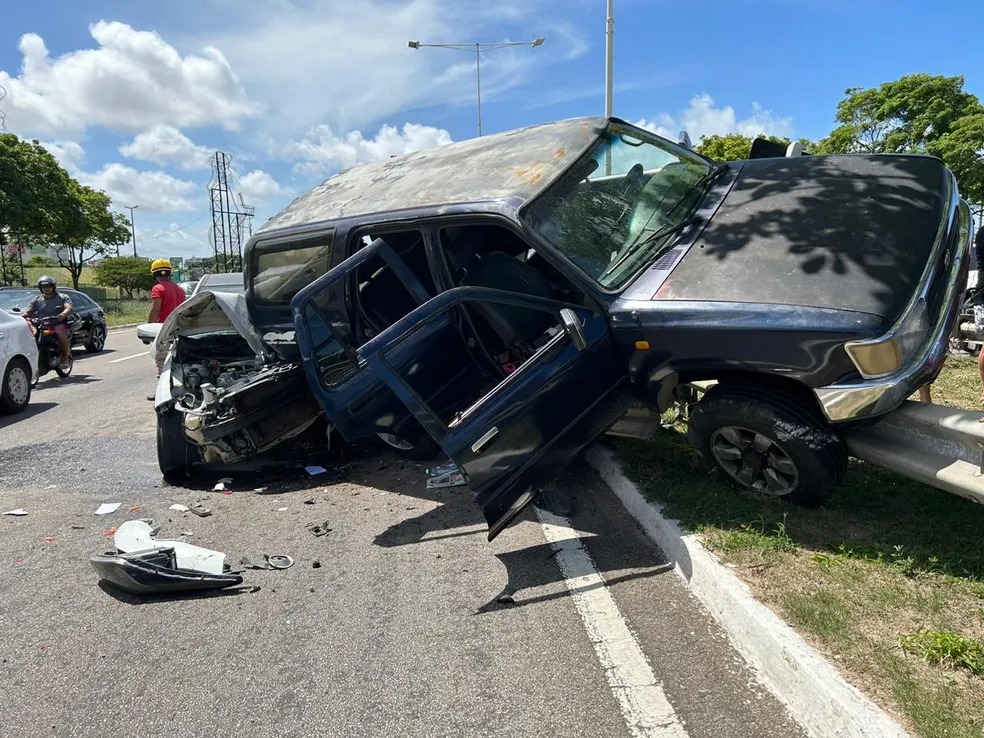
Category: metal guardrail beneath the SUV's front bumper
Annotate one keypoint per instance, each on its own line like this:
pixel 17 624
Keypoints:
pixel 939 446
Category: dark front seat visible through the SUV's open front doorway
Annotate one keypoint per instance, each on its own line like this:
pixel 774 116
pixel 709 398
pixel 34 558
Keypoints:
pixel 498 270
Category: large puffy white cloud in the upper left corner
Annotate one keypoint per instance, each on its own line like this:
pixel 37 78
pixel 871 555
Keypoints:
pixel 132 81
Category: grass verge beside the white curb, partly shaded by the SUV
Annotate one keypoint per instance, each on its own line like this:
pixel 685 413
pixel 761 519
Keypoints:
pixel 887 579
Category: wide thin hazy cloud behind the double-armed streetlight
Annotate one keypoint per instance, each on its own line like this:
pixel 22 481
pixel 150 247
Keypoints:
pixel 357 67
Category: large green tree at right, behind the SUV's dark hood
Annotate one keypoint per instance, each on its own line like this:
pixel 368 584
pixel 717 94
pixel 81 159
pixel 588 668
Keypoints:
pixel 918 113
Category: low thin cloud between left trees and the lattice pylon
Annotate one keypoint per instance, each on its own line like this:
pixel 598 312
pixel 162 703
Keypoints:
pixel 154 192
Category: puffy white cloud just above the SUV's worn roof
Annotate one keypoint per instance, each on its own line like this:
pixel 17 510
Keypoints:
pixel 321 151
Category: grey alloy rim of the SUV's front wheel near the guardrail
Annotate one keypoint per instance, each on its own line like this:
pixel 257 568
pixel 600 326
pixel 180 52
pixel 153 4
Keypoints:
pixel 754 460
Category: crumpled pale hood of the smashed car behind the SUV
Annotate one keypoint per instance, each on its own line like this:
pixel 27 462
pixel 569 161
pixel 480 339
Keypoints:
pixel 208 312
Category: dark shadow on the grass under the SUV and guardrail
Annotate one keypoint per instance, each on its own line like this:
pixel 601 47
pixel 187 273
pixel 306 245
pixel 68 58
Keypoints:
pixel 874 515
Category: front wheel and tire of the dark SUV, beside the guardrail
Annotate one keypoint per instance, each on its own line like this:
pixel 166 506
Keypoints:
pixel 769 441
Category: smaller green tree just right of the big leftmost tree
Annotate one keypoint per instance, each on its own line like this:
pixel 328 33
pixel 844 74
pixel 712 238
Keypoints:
pixel 90 230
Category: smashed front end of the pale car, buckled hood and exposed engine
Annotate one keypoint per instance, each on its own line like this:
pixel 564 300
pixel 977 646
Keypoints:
pixel 236 398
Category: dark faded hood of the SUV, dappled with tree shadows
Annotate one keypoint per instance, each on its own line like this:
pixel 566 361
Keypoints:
pixel 844 232
